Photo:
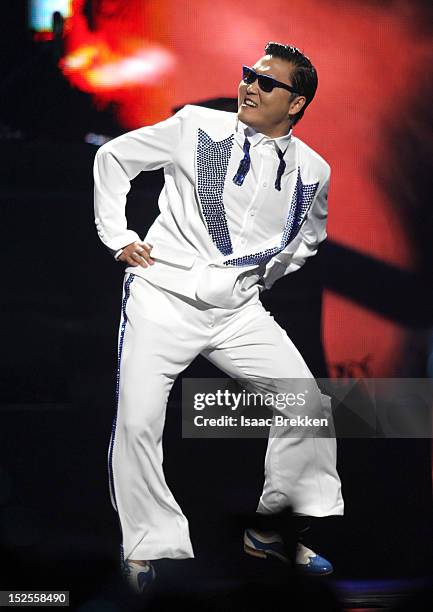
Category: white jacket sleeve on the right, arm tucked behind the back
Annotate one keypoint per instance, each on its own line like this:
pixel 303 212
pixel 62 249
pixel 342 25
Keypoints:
pixel 305 244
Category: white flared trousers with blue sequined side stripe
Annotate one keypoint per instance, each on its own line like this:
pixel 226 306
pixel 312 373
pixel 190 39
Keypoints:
pixel 160 334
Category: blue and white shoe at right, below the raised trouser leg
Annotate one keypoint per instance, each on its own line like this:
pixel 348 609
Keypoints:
pixel 271 545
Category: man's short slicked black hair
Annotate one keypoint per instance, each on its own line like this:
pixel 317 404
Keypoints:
pixel 304 77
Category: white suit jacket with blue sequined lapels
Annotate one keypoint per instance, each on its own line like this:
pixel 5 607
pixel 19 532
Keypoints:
pixel 191 240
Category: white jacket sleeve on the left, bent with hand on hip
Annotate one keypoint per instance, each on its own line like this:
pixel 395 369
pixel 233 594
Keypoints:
pixel 120 160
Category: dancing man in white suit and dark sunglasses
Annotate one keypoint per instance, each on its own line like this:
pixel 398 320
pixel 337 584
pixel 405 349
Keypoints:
pixel 244 203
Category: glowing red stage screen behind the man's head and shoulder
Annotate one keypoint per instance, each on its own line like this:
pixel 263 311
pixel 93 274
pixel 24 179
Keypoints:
pixel 367 57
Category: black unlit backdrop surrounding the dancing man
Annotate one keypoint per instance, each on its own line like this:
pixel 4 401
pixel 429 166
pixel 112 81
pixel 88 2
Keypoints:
pixel 61 309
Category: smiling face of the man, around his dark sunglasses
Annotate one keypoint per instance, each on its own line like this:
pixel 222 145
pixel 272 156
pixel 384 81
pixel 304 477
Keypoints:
pixel 270 112
